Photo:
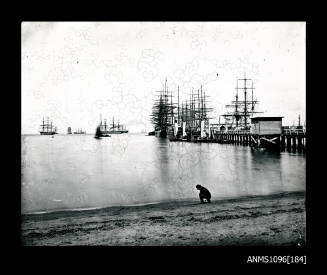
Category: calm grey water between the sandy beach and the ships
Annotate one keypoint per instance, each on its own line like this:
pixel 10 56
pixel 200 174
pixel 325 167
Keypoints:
pixel 78 171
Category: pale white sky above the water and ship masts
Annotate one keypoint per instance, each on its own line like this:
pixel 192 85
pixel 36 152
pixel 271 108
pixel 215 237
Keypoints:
pixel 73 72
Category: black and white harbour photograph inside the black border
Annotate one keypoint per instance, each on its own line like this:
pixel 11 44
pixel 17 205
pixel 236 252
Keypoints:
pixel 163 133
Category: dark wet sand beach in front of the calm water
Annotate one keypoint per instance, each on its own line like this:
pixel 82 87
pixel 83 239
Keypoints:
pixel 274 220
